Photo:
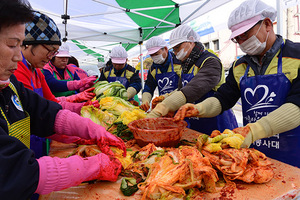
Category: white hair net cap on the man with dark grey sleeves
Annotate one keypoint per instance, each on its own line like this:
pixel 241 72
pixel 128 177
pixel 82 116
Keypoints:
pixel 183 33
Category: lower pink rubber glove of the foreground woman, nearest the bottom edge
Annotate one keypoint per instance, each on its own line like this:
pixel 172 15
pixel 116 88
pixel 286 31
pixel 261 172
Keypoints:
pixel 61 173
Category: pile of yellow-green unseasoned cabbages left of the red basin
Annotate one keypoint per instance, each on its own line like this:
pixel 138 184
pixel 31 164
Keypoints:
pixel 115 112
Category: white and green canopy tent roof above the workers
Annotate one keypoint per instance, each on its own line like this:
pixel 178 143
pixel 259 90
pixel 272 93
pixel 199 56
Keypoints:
pixel 96 26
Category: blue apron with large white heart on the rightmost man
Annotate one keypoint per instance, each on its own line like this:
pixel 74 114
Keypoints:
pixel 261 95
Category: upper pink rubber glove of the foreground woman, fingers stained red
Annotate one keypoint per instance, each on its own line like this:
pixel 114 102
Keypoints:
pixel 69 123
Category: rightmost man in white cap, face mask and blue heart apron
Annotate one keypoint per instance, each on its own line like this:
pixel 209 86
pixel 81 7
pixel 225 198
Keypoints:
pixel 267 80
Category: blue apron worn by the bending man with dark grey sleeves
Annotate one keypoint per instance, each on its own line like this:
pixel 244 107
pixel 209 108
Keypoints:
pixel 221 122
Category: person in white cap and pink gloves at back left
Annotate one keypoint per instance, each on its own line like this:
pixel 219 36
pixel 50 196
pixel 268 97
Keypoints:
pixel 66 79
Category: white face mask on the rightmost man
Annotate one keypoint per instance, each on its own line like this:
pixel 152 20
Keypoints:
pixel 252 46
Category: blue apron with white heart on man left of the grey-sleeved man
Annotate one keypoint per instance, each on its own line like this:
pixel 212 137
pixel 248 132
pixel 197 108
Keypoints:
pixel 167 82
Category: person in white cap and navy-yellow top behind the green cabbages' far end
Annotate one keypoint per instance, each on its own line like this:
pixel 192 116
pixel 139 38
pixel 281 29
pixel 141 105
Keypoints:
pixel 122 72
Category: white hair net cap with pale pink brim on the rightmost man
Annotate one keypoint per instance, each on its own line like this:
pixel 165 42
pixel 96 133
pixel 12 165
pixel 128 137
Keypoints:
pixel 247 15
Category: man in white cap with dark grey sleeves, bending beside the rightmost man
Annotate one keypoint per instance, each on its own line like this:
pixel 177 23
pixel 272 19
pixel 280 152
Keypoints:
pixel 202 73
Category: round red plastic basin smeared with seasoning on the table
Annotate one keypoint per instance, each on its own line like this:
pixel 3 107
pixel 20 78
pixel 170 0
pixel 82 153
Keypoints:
pixel 163 132
